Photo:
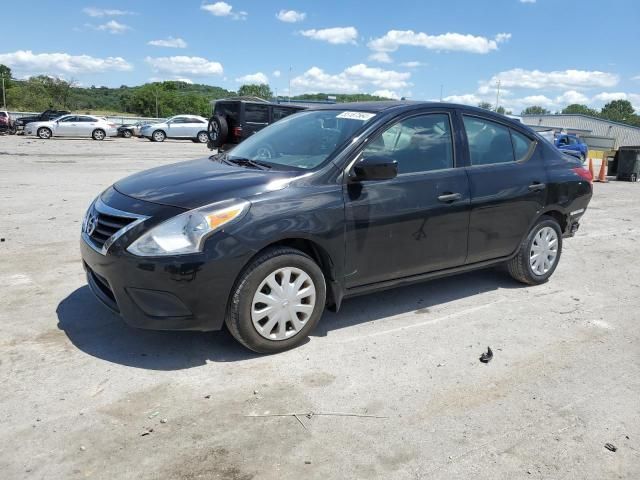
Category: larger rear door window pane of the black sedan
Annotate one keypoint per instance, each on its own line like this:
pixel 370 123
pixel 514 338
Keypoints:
pixel 489 142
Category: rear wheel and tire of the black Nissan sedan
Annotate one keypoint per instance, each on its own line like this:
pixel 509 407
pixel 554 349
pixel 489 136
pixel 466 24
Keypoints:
pixel 523 267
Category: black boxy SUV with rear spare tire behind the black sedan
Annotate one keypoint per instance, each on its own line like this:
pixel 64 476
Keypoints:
pixel 234 120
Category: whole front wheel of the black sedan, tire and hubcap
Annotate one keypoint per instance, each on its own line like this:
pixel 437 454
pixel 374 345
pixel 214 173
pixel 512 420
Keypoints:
pixel 245 313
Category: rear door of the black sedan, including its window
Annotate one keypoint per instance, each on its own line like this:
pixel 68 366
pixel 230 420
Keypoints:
pixel 507 179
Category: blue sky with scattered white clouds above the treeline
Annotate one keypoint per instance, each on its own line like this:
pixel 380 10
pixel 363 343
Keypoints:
pixel 542 52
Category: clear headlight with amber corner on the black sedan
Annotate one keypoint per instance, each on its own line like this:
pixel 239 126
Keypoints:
pixel 186 233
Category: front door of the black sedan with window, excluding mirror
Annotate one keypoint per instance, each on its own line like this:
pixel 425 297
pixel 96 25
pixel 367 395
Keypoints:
pixel 416 222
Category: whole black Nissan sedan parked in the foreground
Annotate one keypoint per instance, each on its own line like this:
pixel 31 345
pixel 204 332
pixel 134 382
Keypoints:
pixel 326 204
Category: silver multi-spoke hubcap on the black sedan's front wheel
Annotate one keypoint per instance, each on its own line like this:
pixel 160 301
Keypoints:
pixel 283 303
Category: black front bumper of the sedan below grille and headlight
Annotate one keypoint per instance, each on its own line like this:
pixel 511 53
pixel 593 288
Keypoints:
pixel 182 292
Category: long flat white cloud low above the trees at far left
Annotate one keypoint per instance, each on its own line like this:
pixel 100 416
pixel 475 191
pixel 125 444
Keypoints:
pixel 25 61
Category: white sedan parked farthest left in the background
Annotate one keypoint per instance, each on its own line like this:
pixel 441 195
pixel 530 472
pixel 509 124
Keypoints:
pixel 73 126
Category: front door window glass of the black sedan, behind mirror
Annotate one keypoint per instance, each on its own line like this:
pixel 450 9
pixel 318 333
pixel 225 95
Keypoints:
pixel 418 144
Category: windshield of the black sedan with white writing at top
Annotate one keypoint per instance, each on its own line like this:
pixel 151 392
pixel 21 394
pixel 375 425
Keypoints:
pixel 304 140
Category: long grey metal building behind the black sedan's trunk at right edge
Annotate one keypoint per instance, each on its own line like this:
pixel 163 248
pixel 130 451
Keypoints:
pixel 598 133
